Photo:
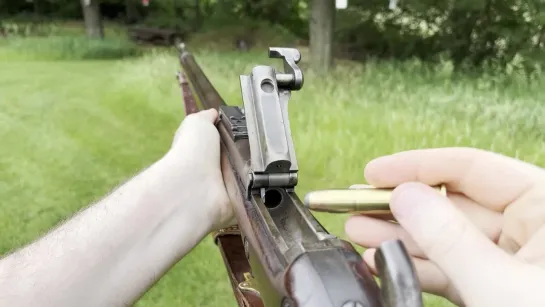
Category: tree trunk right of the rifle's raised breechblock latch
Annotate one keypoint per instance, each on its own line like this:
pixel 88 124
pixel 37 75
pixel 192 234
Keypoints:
pixel 321 34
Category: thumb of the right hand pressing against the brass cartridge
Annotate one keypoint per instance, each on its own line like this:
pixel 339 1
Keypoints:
pixel 464 254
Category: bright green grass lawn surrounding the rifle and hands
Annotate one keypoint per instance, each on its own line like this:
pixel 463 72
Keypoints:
pixel 73 130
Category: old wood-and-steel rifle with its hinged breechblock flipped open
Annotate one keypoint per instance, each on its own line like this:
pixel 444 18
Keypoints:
pixel 279 254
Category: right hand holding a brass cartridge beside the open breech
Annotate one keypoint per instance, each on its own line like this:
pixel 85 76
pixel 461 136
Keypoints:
pixel 484 245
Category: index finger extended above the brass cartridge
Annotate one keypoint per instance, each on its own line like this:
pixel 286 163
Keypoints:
pixel 491 179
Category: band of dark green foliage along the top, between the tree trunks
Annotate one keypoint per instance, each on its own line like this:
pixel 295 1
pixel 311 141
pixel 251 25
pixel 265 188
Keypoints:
pixel 504 35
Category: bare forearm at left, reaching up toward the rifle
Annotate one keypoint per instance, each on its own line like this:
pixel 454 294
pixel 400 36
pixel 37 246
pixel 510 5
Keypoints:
pixel 111 253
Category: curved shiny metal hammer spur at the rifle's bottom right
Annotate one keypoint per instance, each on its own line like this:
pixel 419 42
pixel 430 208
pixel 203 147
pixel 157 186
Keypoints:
pixel 399 284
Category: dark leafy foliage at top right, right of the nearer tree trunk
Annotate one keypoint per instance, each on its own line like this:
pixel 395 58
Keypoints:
pixel 470 33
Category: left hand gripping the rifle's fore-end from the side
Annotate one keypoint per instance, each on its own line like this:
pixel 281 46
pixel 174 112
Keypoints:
pixel 197 144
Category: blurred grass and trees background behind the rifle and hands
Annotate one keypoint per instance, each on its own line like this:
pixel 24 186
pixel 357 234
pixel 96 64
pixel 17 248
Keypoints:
pixel 88 96
